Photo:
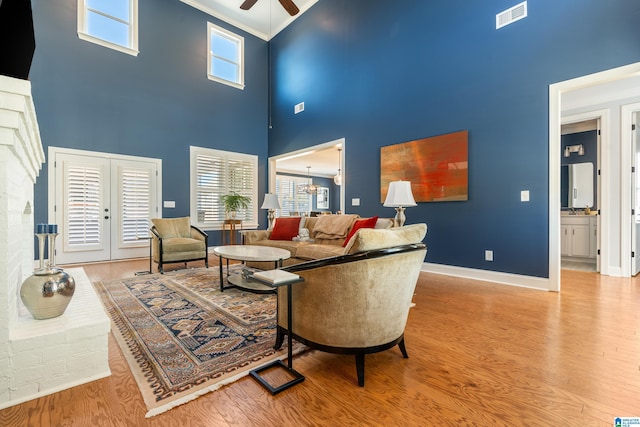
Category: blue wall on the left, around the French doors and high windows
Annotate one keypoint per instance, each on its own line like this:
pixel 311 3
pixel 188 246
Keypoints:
pixel 154 105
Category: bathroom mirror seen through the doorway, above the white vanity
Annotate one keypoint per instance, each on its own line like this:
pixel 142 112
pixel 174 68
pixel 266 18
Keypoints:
pixel 577 185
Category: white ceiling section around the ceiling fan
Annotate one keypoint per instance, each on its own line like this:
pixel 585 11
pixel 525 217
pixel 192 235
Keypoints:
pixel 265 19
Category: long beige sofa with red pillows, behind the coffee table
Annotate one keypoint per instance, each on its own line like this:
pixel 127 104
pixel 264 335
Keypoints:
pixel 327 234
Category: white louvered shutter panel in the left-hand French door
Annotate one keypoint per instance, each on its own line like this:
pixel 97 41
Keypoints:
pixel 83 206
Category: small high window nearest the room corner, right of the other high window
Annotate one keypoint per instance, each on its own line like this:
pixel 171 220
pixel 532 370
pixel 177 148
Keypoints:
pixel 225 60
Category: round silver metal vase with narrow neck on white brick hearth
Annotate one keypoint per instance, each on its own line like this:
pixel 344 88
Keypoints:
pixel 48 291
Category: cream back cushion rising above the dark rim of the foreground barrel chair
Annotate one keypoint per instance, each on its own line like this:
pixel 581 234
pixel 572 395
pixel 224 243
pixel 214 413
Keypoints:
pixel 368 239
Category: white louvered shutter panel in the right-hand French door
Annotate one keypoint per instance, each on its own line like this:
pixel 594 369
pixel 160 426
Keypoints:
pixel 135 203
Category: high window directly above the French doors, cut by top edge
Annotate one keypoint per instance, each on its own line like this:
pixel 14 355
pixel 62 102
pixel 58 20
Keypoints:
pixel 110 23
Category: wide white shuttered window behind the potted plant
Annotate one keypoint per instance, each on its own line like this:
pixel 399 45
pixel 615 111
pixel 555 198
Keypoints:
pixel 215 173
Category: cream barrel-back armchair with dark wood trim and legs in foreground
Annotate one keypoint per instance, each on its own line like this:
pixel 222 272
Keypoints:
pixel 356 303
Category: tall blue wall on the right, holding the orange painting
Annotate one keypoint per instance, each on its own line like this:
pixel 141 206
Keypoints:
pixel 379 73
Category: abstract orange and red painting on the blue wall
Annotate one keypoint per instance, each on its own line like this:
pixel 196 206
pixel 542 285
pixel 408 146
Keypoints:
pixel 437 167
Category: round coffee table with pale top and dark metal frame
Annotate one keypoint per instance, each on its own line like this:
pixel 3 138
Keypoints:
pixel 248 253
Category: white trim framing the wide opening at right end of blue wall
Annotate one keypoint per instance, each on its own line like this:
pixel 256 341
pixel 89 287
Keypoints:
pixel 555 119
